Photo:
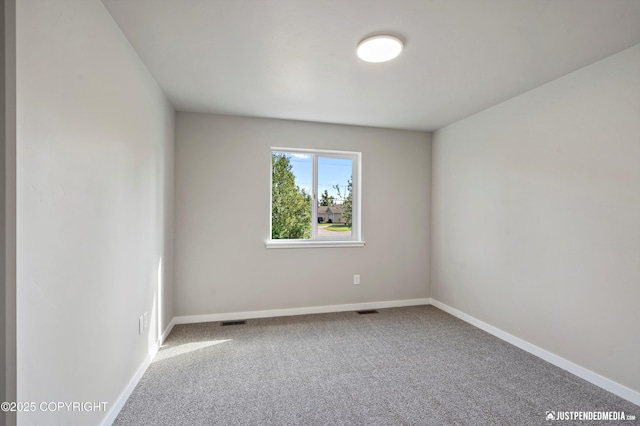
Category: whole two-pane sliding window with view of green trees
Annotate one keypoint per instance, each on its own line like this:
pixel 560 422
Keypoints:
pixel 315 198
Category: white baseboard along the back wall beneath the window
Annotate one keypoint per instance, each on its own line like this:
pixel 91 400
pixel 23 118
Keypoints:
pixel 231 316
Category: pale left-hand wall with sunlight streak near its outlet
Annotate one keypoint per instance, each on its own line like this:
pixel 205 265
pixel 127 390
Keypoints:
pixel 94 161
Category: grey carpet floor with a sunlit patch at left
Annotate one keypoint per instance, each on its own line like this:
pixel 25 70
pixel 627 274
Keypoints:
pixel 401 366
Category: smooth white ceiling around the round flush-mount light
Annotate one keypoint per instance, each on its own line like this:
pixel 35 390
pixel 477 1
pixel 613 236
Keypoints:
pixel 295 59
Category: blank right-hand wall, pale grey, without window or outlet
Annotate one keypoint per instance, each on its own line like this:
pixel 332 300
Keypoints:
pixel 536 217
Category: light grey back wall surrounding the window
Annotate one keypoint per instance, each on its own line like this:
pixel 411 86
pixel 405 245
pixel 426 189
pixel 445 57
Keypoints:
pixel 222 218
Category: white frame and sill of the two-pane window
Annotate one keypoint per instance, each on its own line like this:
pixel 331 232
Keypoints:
pixel 355 239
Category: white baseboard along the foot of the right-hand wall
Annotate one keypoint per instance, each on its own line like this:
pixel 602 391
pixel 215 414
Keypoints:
pixel 588 375
